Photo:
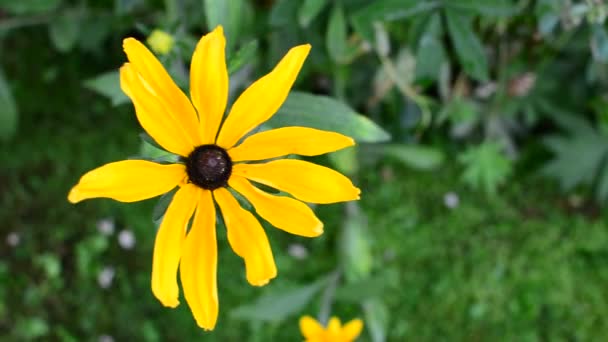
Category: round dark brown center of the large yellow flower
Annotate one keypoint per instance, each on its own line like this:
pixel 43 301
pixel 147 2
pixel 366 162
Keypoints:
pixel 209 167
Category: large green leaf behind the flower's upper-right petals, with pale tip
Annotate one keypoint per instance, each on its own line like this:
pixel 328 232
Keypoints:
pixel 326 113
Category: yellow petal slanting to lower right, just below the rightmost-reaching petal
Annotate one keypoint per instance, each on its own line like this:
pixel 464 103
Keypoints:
pixel 282 212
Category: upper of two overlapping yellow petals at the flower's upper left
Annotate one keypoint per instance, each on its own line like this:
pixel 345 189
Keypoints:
pixel 160 84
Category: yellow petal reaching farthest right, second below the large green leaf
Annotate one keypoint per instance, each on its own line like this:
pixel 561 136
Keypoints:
pixel 306 181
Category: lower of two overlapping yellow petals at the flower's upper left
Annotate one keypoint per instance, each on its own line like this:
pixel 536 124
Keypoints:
pixel 153 115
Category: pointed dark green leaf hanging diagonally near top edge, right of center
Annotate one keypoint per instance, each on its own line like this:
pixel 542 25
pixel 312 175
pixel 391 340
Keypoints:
pixel 468 47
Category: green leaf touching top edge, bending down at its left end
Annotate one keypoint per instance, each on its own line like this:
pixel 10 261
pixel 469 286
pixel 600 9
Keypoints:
pixel 387 10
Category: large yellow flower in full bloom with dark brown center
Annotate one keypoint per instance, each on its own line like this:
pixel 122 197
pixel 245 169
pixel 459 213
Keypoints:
pixel 213 166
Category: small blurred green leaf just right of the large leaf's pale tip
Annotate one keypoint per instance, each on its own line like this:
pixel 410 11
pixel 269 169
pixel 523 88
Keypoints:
pixel 416 156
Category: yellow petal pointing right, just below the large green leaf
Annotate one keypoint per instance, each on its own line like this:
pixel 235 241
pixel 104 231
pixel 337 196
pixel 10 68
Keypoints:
pixel 289 140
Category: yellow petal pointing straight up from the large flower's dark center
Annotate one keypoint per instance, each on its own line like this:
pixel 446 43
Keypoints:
pixel 209 83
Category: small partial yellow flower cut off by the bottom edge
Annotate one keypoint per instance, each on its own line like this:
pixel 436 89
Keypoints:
pixel 335 332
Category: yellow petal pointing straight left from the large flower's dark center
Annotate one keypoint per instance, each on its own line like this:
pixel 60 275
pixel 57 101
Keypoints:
pixel 128 181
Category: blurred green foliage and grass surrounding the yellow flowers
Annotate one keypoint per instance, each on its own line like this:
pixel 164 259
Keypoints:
pixel 483 142
